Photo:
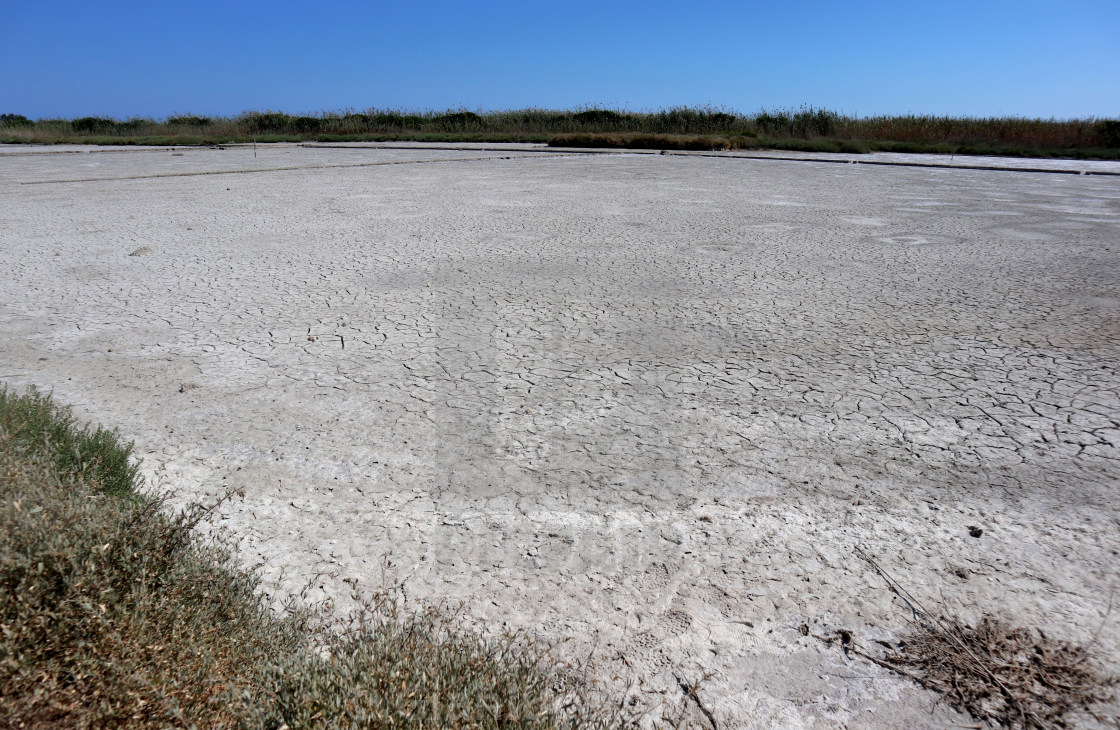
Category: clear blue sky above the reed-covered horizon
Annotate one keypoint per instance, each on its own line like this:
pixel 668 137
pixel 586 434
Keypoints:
pixel 1024 59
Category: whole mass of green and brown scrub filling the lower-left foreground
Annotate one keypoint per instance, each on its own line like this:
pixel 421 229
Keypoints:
pixel 116 614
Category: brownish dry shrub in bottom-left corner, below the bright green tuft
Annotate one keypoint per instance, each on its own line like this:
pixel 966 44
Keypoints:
pixel 111 619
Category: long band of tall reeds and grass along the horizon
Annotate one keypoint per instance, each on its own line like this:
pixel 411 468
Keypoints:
pixel 807 123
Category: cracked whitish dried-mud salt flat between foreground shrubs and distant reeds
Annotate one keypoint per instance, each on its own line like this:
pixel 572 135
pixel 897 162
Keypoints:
pixel 650 404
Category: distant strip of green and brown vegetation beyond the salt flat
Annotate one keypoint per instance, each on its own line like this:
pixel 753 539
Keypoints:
pixel 806 129
